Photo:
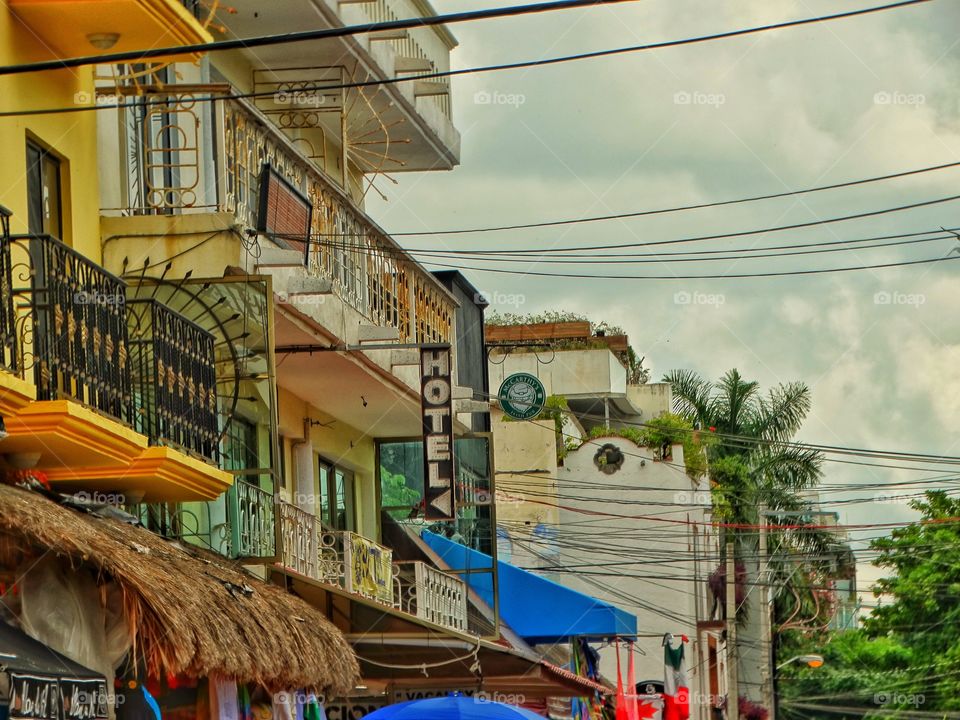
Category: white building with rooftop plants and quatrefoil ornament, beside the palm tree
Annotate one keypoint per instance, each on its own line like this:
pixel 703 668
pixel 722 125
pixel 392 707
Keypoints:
pixel 606 516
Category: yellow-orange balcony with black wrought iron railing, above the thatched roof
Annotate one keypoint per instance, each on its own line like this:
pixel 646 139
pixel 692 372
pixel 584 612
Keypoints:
pixel 94 410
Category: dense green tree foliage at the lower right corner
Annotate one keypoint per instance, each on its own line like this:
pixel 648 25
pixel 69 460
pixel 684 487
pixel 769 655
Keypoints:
pixel 907 657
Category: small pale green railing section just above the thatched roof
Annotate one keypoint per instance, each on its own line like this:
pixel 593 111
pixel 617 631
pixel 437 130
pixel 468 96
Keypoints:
pixel 251 512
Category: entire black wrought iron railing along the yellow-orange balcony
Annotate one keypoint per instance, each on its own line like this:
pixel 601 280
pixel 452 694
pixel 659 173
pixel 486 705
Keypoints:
pixel 66 322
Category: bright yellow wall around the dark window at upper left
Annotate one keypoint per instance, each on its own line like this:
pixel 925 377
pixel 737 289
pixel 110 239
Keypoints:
pixel 73 136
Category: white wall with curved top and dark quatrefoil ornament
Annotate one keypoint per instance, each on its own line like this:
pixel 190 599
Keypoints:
pixel 644 565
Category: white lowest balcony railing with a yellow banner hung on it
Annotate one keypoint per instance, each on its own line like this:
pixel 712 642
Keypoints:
pixel 366 569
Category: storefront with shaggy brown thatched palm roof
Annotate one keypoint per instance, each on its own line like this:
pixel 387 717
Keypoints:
pixel 170 628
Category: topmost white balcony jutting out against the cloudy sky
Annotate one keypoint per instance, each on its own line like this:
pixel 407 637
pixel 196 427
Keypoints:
pixel 414 117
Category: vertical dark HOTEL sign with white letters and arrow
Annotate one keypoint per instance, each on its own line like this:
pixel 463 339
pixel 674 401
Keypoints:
pixel 436 401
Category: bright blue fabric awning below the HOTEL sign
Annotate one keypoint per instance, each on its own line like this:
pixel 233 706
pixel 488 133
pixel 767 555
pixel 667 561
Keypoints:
pixel 537 609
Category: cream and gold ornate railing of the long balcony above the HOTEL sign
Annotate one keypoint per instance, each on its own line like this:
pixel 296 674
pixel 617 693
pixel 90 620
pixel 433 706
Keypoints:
pixel 366 268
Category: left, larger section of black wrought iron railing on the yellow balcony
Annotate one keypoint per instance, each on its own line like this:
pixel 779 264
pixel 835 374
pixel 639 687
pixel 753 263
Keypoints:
pixel 74 335
